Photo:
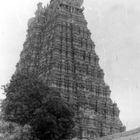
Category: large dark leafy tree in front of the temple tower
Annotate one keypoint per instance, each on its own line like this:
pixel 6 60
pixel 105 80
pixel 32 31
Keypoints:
pixel 29 101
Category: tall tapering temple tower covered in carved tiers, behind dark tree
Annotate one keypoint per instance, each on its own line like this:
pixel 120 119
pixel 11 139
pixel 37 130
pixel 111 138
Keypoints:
pixel 59 50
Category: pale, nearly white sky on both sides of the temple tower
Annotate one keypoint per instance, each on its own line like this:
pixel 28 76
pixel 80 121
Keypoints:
pixel 115 28
